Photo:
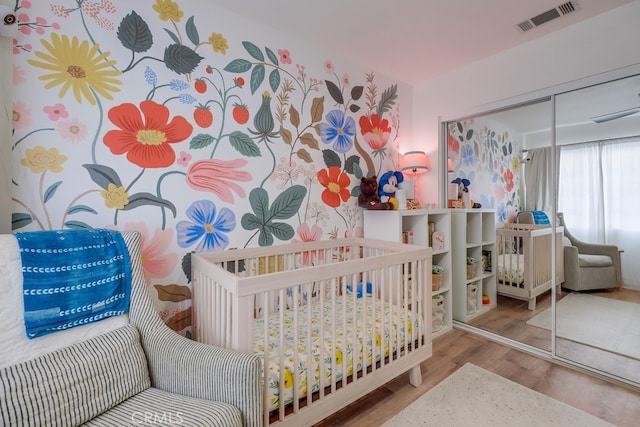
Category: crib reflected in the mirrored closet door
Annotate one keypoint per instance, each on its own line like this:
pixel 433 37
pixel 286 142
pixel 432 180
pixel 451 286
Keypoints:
pixel 524 260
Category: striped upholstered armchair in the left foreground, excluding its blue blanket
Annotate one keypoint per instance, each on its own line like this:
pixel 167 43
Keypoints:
pixel 125 370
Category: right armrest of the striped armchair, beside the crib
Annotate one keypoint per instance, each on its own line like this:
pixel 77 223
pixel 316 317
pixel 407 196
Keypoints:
pixel 183 366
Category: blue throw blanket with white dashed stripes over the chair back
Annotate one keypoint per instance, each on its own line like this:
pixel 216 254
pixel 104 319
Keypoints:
pixel 73 277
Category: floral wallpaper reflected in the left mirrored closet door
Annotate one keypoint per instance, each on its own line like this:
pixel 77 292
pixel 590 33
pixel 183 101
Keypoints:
pixel 486 153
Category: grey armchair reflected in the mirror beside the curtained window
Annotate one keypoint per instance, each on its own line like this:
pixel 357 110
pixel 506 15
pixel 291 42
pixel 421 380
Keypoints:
pixel 589 266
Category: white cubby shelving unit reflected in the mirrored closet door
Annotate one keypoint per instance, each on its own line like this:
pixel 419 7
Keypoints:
pixel 473 235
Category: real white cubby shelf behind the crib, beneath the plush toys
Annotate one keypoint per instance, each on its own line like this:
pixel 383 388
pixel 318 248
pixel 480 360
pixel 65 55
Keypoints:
pixel 394 225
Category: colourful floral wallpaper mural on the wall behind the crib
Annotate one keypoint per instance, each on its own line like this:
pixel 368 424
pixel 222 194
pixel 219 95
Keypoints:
pixel 171 119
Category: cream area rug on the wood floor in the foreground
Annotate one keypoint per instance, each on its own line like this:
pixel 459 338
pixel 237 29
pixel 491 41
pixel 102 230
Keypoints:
pixel 472 396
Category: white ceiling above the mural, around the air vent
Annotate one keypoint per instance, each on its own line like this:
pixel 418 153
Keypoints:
pixel 412 40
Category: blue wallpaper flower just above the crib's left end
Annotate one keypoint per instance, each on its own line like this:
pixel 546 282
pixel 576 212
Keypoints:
pixel 205 227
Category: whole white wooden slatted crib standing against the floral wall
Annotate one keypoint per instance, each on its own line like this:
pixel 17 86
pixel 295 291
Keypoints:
pixel 333 320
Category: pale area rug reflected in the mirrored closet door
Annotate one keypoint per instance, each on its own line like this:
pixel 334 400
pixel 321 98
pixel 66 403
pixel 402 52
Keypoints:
pixel 599 322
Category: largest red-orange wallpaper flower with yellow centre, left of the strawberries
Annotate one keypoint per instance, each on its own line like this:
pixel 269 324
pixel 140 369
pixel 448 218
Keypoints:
pixel 145 134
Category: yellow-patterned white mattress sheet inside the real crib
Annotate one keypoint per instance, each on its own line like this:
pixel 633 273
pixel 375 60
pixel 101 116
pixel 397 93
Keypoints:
pixel 371 341
